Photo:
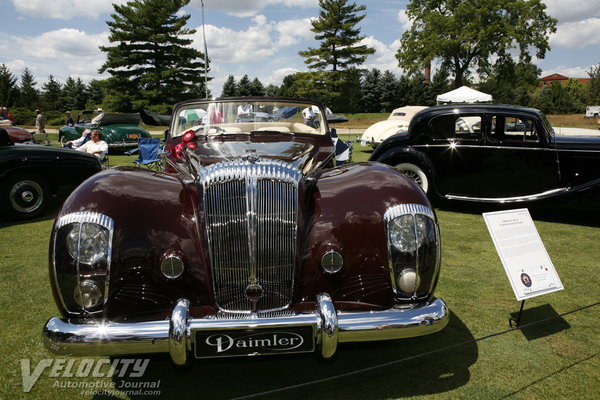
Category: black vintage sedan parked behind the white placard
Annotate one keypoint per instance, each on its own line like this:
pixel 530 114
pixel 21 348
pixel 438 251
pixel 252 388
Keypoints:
pixel 492 154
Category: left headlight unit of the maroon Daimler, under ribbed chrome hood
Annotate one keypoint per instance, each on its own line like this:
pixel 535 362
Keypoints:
pixel 82 254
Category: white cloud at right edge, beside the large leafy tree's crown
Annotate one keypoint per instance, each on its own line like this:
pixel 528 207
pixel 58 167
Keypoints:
pixel 578 34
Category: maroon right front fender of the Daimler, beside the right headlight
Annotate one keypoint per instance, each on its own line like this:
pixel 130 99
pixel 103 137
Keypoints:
pixel 349 205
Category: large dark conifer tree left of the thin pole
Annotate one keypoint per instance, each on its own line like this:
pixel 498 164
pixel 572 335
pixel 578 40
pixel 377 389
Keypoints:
pixel 151 62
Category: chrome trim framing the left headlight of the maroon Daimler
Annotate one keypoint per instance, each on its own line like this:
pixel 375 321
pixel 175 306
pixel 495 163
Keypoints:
pixel 81 218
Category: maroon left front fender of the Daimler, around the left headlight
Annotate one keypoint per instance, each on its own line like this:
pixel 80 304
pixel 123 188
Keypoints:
pixel 154 216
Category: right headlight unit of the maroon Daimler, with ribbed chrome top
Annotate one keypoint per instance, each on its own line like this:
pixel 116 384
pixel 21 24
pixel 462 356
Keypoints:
pixel 413 250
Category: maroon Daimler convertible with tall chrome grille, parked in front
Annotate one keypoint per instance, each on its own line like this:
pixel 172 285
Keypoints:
pixel 249 242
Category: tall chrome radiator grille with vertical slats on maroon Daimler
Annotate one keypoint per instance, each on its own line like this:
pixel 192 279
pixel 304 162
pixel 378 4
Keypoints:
pixel 251 220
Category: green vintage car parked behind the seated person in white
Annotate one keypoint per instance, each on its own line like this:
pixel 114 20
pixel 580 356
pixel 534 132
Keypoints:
pixel 118 129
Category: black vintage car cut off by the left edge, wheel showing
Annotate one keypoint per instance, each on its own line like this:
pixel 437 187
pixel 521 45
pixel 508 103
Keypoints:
pixel 31 174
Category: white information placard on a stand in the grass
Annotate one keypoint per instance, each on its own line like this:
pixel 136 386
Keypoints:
pixel 525 259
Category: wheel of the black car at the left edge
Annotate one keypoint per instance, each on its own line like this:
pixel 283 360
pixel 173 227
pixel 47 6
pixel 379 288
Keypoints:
pixel 25 197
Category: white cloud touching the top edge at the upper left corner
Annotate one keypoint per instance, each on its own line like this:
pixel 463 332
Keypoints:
pixel 64 9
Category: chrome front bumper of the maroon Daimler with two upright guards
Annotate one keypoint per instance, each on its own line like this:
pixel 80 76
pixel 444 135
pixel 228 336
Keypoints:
pixel 175 335
